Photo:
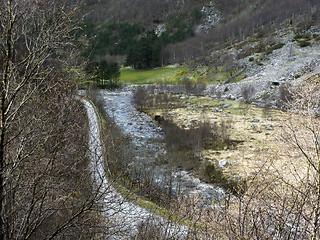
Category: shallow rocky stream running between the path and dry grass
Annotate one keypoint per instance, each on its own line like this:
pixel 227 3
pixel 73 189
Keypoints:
pixel 147 138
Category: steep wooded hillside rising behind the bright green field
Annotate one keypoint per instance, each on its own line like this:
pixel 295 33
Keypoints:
pixel 218 34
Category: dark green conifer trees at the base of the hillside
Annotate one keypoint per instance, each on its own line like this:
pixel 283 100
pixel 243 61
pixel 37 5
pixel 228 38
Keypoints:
pixel 142 48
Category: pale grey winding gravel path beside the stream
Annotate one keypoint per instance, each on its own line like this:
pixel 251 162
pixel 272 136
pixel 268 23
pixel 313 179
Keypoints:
pixel 123 218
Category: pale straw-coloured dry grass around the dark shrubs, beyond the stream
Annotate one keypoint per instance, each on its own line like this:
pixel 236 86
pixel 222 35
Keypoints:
pixel 255 144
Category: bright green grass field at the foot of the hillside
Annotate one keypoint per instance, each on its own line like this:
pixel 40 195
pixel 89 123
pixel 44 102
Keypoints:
pixel 158 75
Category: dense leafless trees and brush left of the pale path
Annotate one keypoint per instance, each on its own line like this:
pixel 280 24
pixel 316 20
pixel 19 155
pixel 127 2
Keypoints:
pixel 45 190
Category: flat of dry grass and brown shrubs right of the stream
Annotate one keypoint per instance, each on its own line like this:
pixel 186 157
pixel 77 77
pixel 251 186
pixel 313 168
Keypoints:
pixel 246 128
